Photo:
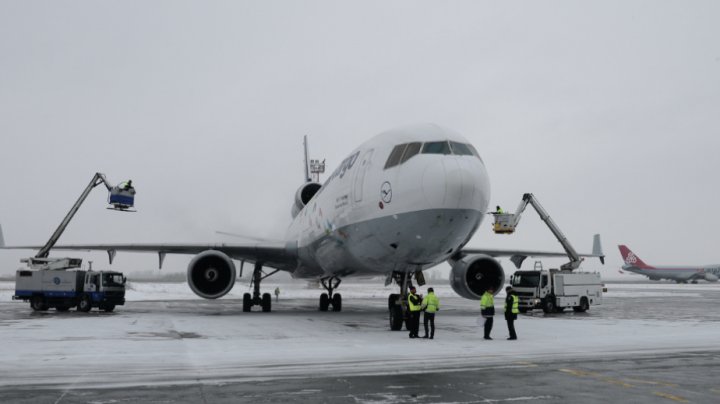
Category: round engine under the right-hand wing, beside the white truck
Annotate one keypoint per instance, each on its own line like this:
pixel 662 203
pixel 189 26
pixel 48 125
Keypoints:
pixel 472 275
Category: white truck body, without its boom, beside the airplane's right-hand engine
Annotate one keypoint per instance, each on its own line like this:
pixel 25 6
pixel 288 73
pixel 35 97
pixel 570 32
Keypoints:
pixel 553 291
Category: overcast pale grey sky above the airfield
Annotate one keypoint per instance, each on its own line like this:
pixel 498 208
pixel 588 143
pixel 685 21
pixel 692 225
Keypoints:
pixel 608 111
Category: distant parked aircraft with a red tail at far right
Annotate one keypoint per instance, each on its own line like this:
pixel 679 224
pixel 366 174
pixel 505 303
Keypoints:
pixel 679 274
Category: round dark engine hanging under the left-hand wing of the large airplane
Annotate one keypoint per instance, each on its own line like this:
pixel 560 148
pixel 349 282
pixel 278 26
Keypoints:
pixel 211 274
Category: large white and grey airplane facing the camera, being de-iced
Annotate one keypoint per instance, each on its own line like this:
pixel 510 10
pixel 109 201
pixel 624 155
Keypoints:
pixel 404 201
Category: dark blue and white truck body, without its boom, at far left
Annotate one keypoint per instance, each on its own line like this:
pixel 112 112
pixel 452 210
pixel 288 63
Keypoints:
pixel 63 289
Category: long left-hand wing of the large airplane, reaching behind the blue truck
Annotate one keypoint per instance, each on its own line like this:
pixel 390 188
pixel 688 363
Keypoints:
pixel 270 254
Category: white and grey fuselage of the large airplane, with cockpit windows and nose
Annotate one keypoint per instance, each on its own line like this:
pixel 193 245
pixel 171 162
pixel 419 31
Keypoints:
pixel 372 216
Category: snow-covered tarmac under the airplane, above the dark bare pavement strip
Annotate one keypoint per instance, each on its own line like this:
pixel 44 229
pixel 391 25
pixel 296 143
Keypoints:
pixel 164 335
